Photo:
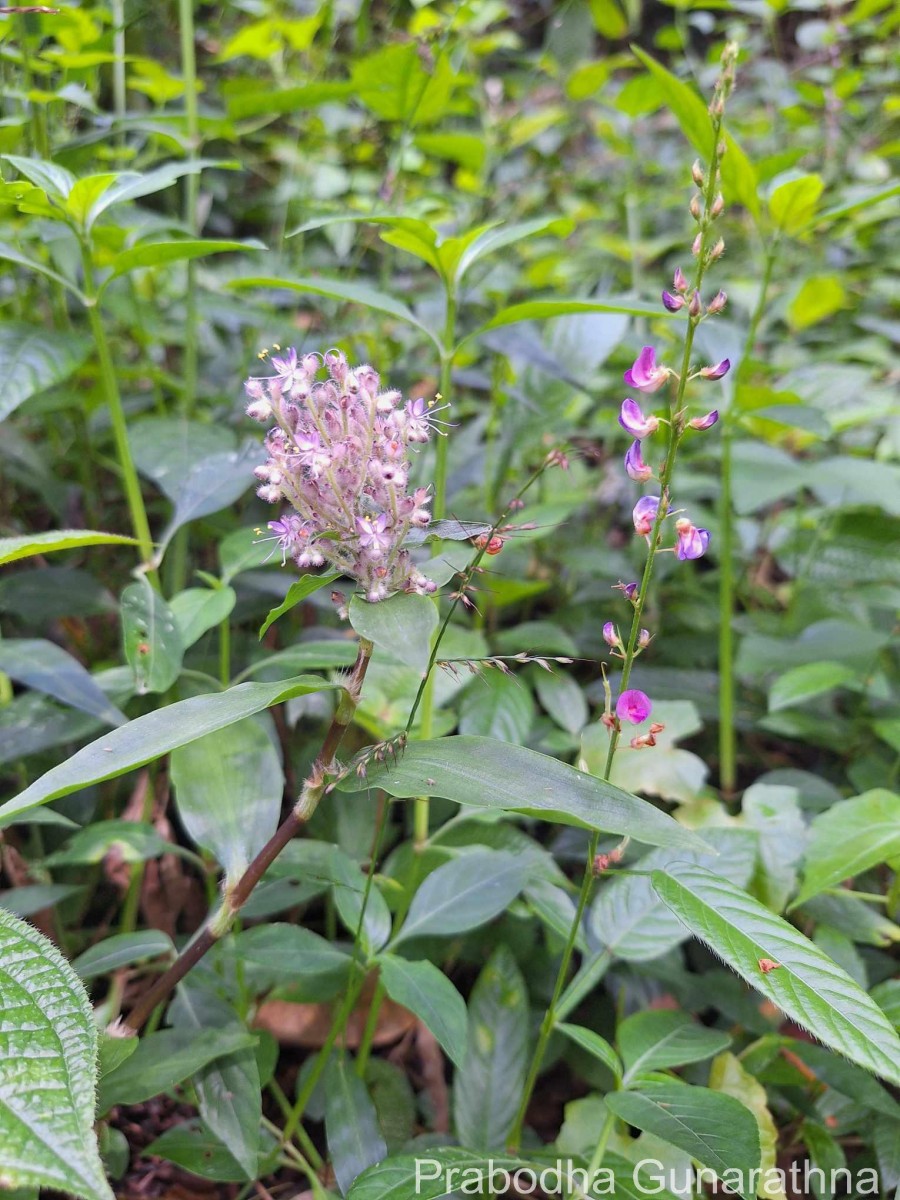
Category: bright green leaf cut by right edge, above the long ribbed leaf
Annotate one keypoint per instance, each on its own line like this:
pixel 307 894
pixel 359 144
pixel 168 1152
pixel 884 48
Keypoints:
pixel 851 838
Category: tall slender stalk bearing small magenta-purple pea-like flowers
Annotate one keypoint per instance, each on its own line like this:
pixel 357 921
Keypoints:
pixel 647 376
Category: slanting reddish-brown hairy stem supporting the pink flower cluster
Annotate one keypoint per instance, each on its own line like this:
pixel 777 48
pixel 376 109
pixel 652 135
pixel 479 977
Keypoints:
pixel 238 895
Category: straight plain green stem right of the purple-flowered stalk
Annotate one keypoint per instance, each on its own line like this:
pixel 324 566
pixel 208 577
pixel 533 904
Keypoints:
pixel 728 733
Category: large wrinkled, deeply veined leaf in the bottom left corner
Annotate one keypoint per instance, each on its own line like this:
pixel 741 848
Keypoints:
pixel 47 1070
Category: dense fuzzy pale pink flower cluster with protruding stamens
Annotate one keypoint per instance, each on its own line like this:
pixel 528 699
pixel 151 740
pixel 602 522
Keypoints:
pixel 339 454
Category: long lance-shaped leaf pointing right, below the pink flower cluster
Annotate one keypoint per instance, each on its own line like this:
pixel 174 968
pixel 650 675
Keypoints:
pixel 499 776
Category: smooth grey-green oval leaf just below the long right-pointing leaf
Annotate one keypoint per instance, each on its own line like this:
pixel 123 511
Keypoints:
pixel 463 895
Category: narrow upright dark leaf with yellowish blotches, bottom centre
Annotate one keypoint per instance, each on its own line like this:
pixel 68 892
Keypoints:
pixel 489 1085
